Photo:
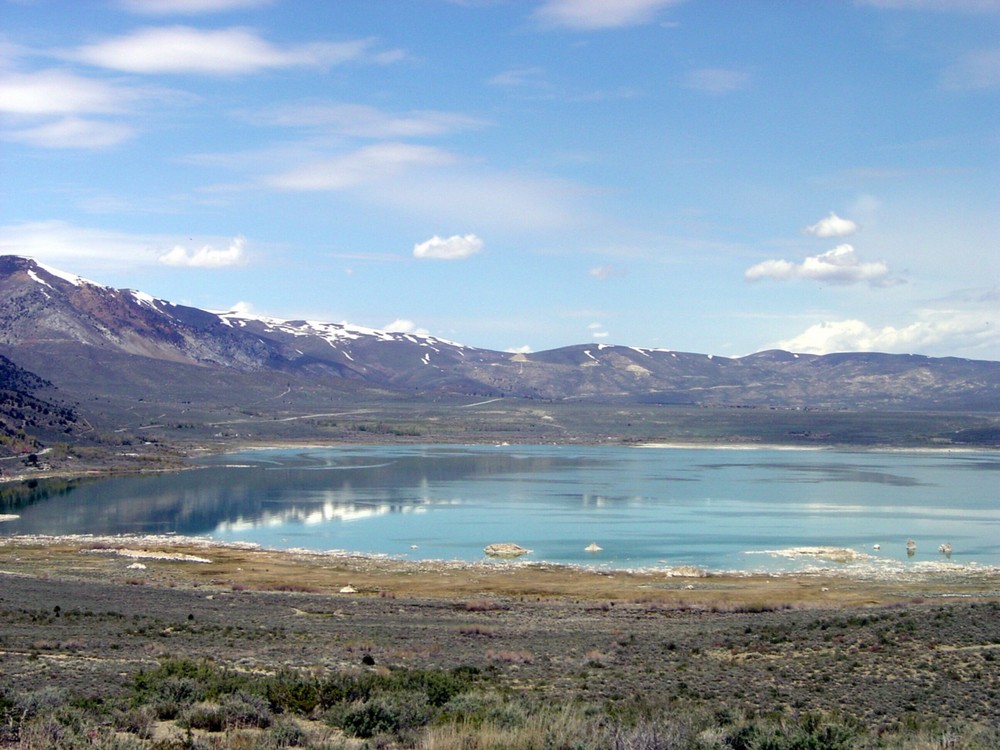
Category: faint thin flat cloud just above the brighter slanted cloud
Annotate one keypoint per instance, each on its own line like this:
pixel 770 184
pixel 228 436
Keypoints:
pixel 361 121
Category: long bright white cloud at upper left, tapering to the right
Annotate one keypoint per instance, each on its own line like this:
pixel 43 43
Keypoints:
pixel 183 49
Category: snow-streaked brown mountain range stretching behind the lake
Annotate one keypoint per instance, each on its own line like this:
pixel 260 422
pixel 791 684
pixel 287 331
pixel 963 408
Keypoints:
pixel 67 341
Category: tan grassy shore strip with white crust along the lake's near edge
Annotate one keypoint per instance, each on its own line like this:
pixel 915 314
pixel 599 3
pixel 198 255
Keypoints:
pixel 191 562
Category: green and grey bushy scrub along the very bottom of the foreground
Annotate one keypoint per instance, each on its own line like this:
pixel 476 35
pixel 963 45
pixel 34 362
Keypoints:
pixel 187 704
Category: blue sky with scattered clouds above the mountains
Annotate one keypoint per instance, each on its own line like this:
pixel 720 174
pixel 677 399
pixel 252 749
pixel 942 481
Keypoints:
pixel 708 176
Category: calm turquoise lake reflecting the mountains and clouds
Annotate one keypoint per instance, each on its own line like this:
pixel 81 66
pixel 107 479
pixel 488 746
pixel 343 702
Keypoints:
pixel 717 509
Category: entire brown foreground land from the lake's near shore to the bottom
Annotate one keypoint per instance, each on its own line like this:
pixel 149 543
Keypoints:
pixel 147 643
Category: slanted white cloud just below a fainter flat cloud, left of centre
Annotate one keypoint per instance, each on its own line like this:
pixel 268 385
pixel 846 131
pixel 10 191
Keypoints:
pixel 365 165
